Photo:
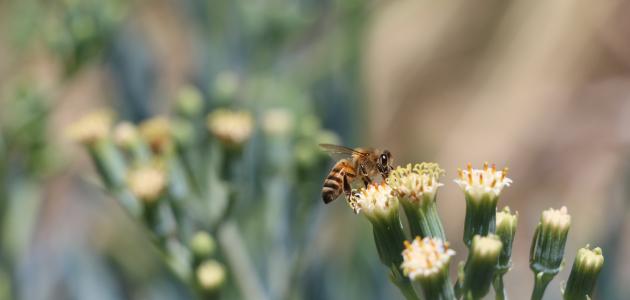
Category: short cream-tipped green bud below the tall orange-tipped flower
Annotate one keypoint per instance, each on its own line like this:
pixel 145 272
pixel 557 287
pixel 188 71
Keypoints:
pixel 480 266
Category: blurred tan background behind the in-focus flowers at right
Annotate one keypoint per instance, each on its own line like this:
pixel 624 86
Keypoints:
pixel 542 87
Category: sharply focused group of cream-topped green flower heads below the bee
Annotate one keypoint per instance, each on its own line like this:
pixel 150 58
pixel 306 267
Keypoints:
pixel 488 234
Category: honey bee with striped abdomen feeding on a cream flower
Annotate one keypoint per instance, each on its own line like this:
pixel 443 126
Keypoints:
pixel 360 162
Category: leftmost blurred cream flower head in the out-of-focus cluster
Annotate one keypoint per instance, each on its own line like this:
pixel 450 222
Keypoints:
pixel 91 128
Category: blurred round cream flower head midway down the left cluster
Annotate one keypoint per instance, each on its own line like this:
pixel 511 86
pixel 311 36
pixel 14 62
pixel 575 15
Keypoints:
pixel 147 182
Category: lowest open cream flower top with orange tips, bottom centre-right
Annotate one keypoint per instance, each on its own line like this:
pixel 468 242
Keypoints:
pixel 425 257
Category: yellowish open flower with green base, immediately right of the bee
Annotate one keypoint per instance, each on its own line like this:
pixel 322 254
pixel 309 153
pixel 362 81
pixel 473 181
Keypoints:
pixel 416 189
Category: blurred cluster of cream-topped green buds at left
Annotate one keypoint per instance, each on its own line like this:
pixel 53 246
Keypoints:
pixel 154 172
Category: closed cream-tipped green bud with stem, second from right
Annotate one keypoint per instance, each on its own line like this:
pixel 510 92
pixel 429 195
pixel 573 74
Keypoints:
pixel 547 249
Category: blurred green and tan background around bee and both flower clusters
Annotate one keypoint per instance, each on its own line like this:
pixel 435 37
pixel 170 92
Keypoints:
pixel 542 87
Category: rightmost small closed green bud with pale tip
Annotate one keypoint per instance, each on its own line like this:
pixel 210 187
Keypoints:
pixel 586 267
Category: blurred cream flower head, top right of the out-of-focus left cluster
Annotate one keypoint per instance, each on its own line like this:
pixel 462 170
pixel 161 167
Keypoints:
pixel 231 127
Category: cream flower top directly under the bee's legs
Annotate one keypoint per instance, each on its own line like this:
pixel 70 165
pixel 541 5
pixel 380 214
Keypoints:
pixel 376 199
